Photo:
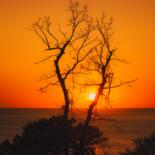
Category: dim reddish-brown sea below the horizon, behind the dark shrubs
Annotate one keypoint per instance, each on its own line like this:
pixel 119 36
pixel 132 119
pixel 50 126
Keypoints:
pixel 121 126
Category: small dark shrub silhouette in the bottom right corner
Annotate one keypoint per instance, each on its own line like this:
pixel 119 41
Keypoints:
pixel 142 146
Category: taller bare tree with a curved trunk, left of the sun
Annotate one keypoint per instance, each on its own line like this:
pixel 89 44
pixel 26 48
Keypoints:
pixel 75 45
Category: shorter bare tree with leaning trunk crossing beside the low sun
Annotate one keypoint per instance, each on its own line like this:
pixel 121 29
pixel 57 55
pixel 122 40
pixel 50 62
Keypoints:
pixel 100 64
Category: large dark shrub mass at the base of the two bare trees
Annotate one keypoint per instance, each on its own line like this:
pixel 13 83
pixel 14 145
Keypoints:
pixel 47 136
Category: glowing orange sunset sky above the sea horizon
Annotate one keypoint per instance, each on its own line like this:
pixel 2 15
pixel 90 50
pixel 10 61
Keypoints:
pixel 134 22
